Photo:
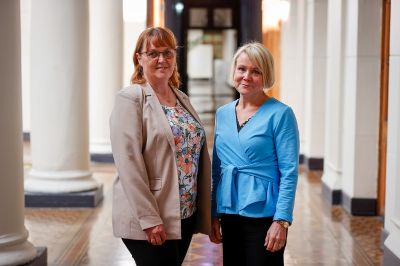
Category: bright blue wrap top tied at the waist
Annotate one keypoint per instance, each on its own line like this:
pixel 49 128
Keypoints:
pixel 255 170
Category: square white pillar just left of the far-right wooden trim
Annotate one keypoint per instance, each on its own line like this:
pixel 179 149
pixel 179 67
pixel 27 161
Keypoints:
pixel 361 99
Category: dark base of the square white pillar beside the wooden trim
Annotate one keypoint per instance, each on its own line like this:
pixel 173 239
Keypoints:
pixel 359 206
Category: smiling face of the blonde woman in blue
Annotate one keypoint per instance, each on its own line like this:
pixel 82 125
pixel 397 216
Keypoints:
pixel 247 77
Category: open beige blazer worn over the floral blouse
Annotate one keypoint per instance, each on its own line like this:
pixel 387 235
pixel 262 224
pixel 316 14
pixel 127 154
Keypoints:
pixel 146 189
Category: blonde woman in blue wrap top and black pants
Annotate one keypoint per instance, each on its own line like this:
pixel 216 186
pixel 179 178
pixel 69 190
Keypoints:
pixel 255 165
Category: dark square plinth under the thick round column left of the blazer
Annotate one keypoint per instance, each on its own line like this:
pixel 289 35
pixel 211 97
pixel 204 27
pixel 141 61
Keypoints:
pixel 64 200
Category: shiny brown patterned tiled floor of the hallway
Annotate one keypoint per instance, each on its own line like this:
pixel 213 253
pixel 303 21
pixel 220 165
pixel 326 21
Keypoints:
pixel 320 234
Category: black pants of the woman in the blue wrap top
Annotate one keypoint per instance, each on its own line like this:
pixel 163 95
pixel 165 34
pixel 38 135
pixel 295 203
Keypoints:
pixel 243 242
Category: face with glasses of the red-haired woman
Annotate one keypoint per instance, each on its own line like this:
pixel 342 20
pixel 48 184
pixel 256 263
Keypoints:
pixel 158 63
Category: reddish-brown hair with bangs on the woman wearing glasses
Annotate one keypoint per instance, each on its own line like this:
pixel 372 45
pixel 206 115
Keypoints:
pixel 157 36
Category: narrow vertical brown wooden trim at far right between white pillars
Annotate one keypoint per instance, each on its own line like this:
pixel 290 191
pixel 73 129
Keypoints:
pixel 385 41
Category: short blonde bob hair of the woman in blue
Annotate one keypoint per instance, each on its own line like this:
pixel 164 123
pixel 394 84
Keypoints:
pixel 261 58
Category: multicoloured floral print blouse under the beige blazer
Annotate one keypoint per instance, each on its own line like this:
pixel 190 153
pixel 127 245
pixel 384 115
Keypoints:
pixel 189 137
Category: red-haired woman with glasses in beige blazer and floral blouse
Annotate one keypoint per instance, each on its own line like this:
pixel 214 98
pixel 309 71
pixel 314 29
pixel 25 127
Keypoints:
pixel 162 191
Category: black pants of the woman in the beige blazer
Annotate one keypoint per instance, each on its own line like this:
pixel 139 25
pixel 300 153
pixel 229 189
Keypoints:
pixel 171 253
